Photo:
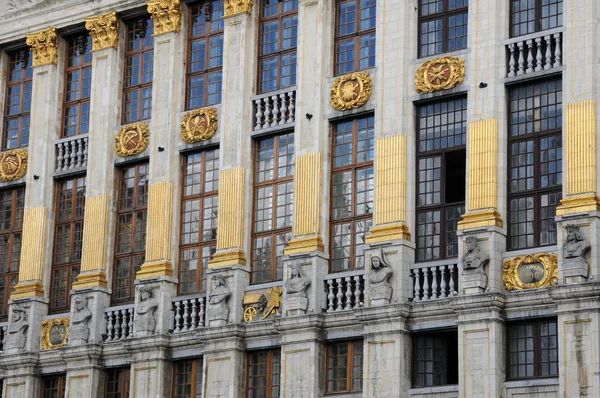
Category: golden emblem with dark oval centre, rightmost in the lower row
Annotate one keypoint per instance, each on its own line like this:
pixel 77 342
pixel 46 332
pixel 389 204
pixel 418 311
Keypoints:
pixel 531 271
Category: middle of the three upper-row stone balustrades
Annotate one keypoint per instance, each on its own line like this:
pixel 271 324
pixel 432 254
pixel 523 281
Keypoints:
pixel 274 109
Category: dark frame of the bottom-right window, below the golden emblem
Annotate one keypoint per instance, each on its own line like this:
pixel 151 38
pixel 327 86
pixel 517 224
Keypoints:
pixel 537 362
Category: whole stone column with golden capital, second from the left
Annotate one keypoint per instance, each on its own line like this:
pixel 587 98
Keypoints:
pixel 91 287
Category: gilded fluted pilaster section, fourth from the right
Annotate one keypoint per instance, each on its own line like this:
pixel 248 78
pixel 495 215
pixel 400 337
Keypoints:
pixel 308 182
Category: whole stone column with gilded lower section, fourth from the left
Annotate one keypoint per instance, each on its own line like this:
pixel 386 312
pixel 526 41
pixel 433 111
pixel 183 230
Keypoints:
pixel 236 157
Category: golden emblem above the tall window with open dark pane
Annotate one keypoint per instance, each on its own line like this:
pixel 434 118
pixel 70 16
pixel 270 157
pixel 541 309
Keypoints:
pixel 440 74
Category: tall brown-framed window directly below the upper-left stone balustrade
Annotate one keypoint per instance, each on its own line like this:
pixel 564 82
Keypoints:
pixel 68 238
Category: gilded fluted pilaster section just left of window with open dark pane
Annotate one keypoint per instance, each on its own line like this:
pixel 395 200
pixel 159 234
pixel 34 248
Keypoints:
pixel 390 190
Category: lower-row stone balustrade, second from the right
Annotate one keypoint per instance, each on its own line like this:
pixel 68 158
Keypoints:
pixel 345 291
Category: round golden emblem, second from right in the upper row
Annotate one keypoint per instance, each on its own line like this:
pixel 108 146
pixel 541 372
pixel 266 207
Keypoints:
pixel 351 91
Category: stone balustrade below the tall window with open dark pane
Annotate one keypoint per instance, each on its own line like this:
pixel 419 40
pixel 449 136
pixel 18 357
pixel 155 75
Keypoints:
pixel 434 282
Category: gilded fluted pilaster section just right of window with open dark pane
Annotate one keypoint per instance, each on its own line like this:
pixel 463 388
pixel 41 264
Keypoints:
pixel 482 179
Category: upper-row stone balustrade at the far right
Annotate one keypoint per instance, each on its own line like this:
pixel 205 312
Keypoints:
pixel 535 52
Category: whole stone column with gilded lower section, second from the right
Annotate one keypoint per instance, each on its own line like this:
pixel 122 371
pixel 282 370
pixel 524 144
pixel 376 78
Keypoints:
pixel 485 202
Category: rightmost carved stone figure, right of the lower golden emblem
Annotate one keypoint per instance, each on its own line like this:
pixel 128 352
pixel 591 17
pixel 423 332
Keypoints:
pixel 575 247
